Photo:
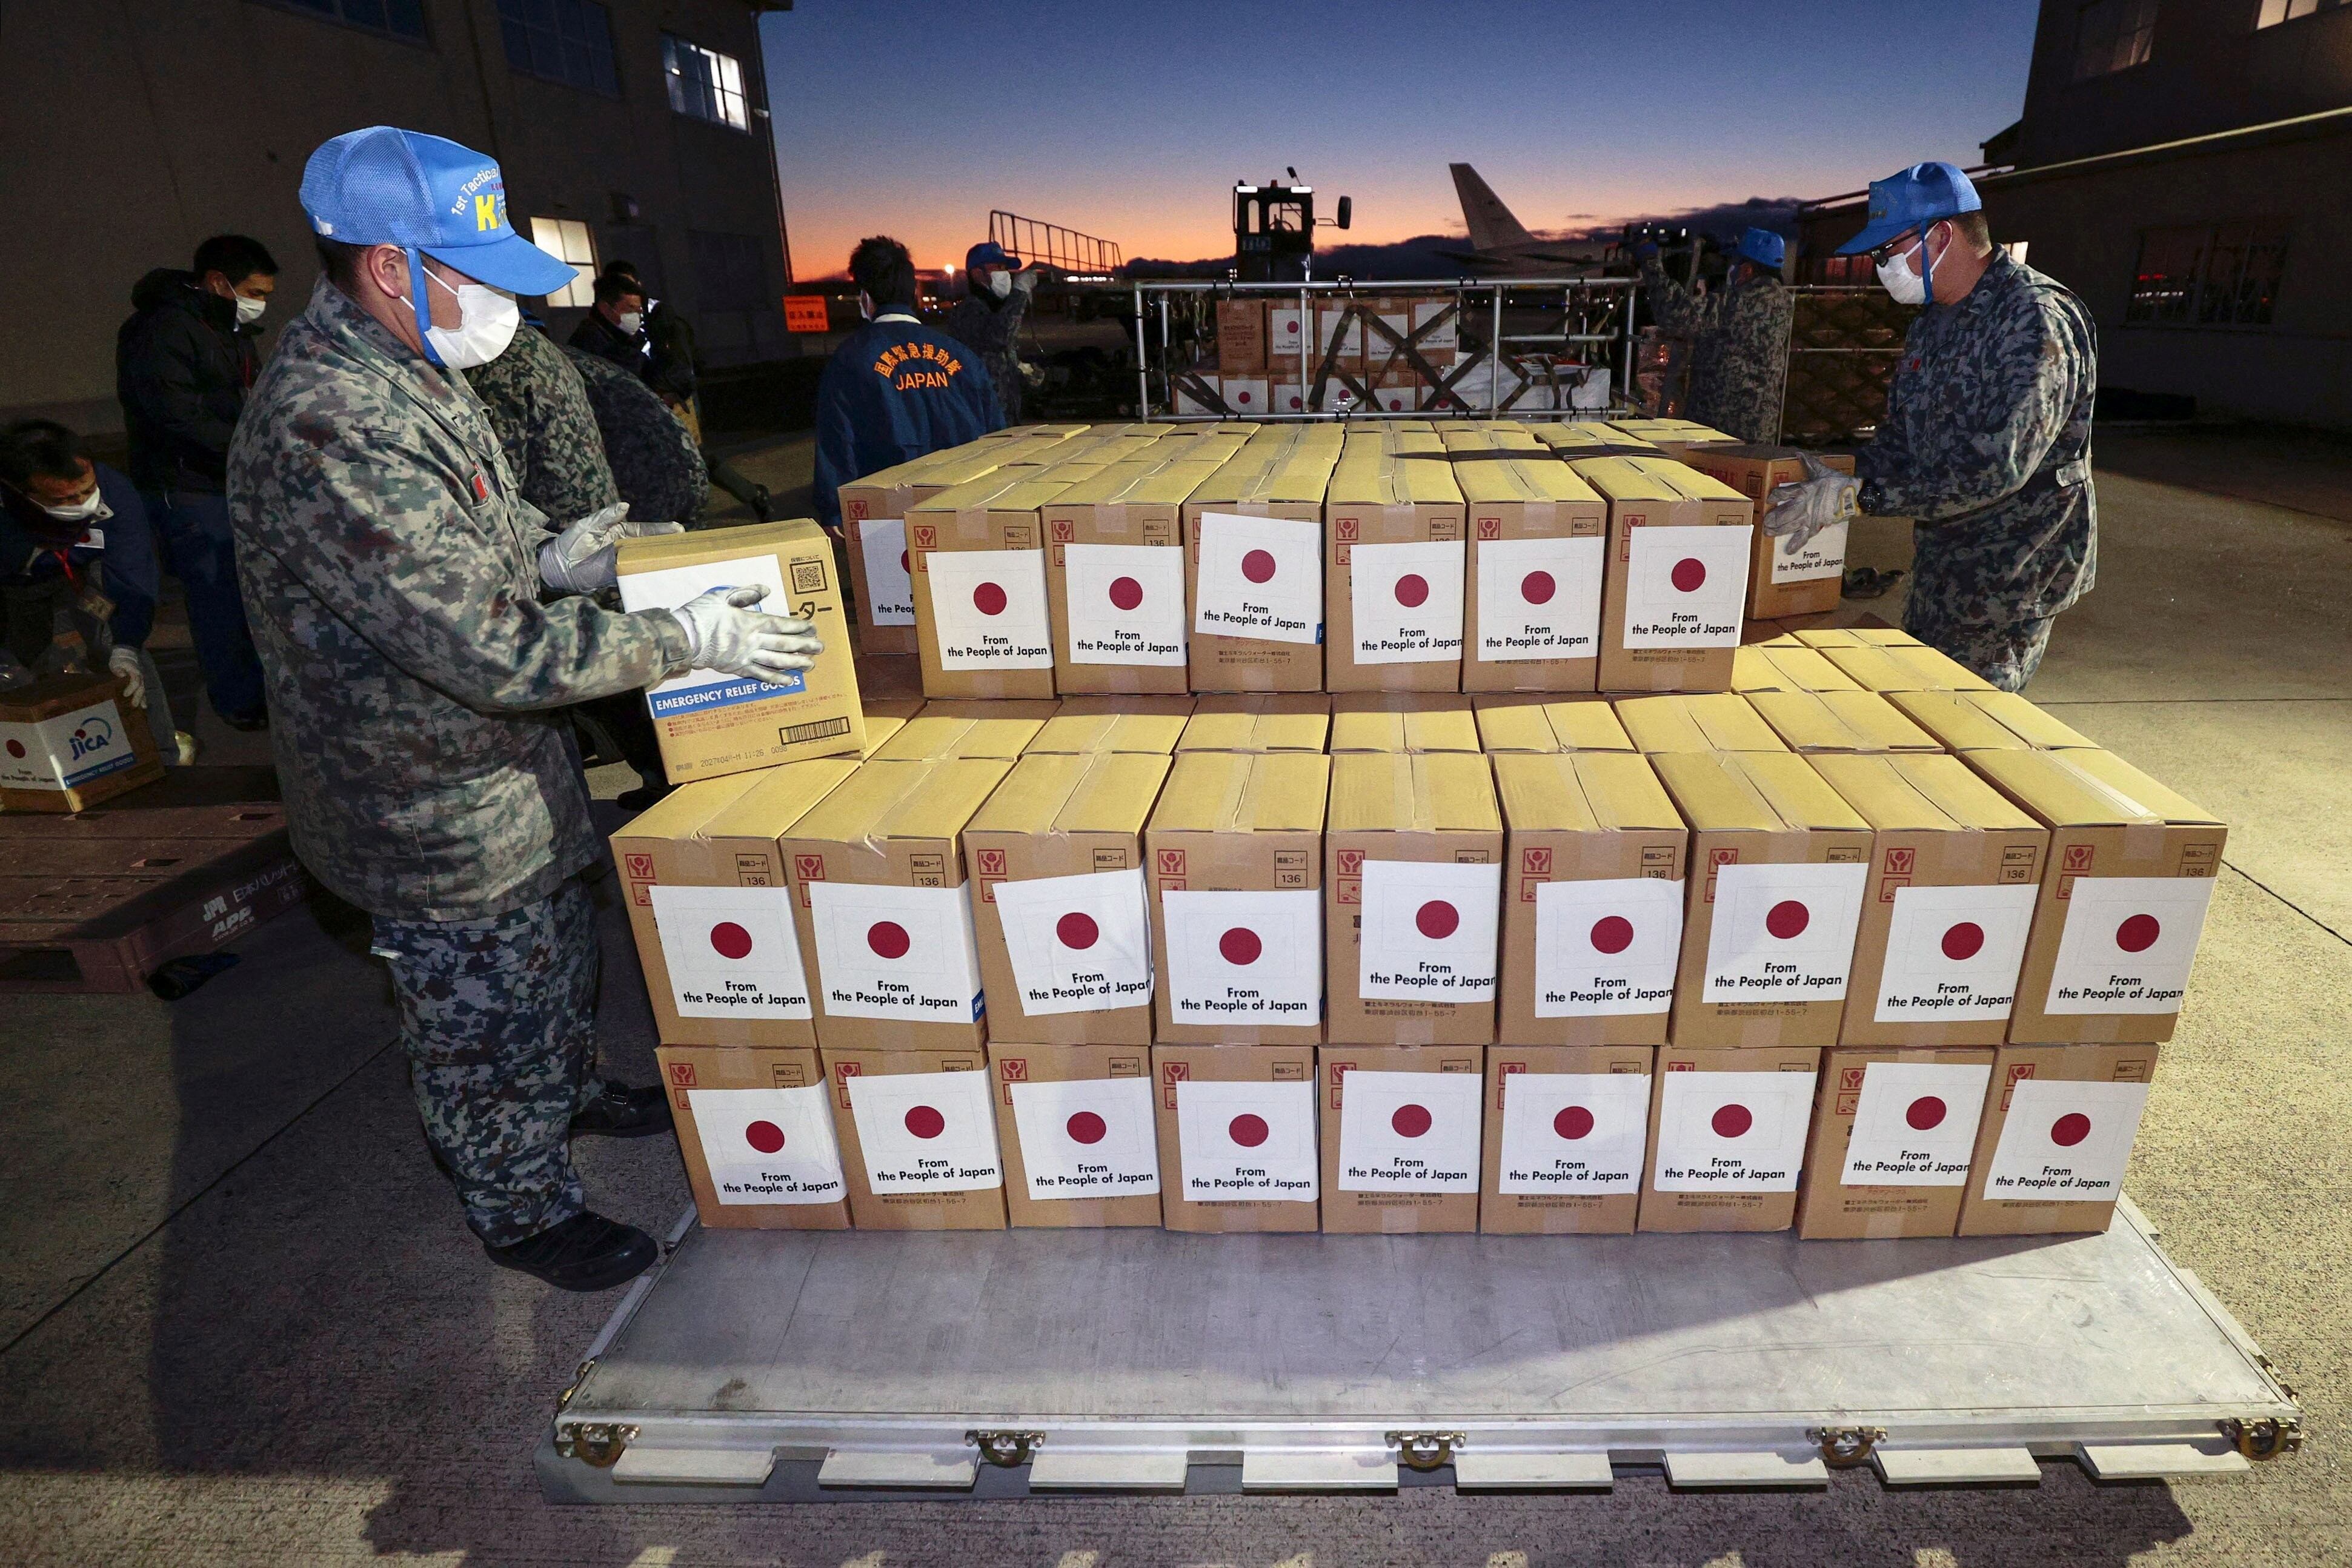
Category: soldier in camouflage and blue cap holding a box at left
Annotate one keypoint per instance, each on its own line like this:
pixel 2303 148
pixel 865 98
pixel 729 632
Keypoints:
pixel 396 582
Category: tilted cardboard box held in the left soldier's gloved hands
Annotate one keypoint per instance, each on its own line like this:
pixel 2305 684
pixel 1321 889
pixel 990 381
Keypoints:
pixel 714 723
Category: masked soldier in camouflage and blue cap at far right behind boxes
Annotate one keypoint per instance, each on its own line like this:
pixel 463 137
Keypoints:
pixel 1986 441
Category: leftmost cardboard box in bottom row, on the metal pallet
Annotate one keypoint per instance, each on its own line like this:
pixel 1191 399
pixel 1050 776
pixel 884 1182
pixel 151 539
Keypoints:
pixel 756 1137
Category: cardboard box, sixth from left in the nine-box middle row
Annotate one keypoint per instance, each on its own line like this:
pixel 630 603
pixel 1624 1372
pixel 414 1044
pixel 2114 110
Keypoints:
pixel 1593 902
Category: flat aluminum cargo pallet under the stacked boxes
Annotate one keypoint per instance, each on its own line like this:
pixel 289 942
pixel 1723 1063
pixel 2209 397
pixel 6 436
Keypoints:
pixel 1001 1365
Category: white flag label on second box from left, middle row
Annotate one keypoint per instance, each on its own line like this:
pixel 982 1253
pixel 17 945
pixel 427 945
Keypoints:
pixel 895 953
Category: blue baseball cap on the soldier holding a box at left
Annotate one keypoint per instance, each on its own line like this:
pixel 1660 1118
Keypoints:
pixel 427 194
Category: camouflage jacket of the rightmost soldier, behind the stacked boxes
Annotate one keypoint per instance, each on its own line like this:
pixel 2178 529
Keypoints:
pixel 1986 445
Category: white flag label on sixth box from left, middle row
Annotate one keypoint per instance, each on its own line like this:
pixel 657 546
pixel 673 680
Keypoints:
pixel 1608 949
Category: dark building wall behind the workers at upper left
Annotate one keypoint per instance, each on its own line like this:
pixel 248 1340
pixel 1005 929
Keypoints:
pixel 135 128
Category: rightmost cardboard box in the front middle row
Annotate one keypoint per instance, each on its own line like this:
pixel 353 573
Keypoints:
pixel 2123 897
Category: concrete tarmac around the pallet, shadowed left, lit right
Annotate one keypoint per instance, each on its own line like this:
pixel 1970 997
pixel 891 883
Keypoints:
pixel 243 1325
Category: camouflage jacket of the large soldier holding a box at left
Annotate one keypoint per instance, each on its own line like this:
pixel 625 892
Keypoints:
pixel 392 577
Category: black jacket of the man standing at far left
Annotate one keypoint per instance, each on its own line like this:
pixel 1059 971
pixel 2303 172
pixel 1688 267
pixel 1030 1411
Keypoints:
pixel 182 370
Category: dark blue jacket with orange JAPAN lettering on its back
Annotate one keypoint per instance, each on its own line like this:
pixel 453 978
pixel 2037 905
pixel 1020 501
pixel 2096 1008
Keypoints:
pixel 893 394
